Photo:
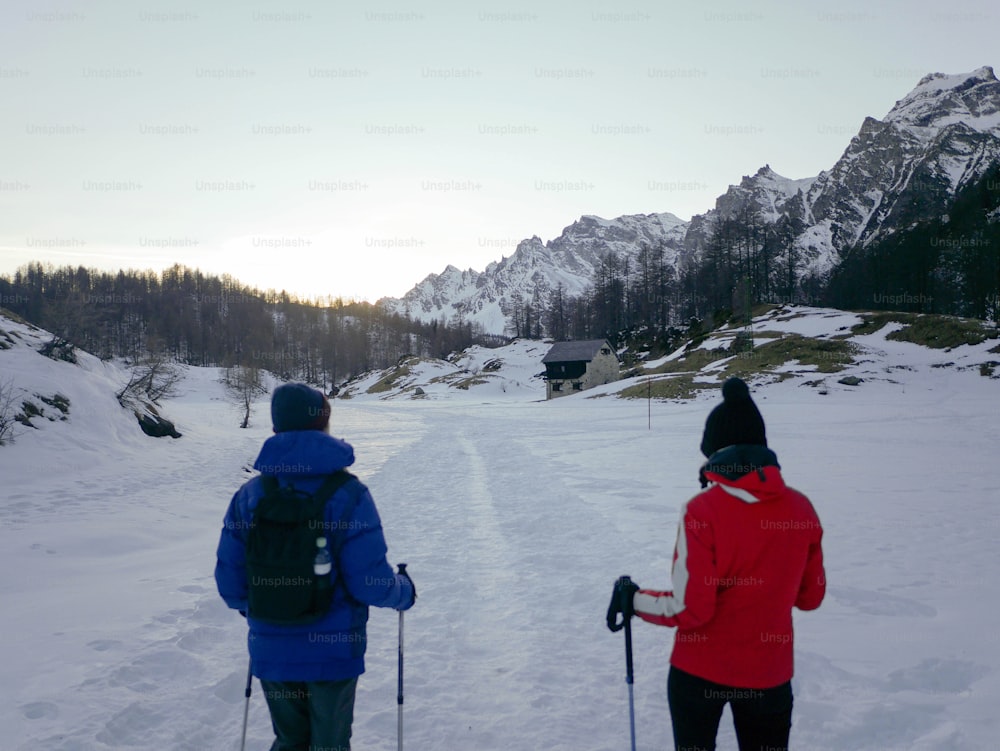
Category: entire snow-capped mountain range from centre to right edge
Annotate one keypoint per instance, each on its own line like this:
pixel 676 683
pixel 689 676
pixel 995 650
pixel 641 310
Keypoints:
pixel 940 137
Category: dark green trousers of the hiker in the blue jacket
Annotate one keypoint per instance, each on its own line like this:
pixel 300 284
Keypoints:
pixel 311 716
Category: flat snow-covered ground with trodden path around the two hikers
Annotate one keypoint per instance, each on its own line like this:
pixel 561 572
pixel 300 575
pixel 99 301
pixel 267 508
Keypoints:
pixel 515 517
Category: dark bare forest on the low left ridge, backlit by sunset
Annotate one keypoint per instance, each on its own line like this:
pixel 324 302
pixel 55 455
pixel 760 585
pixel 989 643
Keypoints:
pixel 190 317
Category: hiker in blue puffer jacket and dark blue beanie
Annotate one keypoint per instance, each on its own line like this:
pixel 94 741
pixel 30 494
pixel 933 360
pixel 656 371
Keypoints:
pixel 309 673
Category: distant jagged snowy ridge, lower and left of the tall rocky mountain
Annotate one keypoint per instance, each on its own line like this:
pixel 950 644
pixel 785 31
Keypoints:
pixel 536 268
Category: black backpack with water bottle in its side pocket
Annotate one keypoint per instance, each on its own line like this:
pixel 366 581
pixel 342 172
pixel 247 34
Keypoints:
pixel 281 551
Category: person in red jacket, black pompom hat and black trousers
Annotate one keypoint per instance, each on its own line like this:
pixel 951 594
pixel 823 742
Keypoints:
pixel 749 549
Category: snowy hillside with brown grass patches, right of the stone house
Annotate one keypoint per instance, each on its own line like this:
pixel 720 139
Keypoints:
pixel 826 350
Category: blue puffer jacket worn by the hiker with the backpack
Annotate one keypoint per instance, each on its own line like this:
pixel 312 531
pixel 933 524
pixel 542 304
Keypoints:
pixel 333 648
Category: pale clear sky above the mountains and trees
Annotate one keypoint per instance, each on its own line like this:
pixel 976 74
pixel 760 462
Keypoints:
pixel 351 149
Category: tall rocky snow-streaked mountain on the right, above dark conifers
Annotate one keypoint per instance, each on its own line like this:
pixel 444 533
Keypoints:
pixel 937 139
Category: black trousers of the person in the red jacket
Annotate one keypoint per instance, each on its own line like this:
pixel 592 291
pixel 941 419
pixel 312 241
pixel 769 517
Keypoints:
pixel 763 717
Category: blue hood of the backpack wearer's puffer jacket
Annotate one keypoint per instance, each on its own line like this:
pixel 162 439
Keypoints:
pixel 302 453
